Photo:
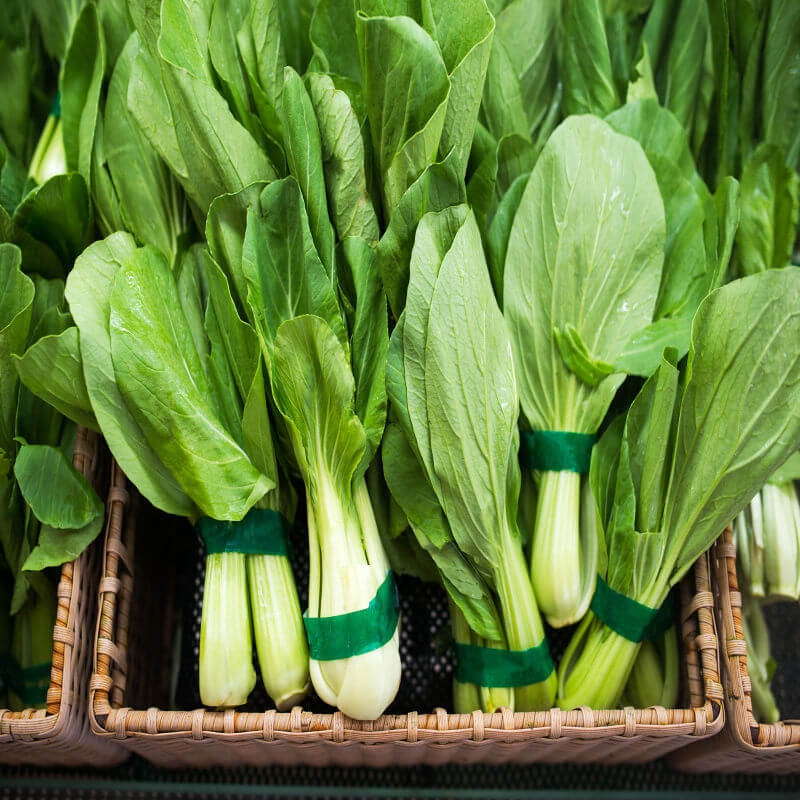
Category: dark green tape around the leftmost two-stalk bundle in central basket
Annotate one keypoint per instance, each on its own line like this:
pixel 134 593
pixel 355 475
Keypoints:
pixel 261 532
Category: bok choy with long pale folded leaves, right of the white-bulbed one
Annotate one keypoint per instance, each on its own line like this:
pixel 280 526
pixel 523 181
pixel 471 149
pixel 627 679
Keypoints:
pixel 455 443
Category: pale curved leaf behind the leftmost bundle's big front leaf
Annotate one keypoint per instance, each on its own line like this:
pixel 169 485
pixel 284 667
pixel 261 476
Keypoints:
pixel 89 294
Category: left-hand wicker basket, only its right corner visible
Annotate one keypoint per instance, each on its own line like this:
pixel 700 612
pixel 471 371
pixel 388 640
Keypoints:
pixel 59 734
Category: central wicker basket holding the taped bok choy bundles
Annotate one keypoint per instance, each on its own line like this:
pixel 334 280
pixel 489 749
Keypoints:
pixel 203 738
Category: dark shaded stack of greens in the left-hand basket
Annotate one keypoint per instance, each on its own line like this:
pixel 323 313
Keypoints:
pixel 48 511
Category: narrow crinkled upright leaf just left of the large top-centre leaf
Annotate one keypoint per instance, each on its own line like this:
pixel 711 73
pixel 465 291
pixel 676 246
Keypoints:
pixel 343 160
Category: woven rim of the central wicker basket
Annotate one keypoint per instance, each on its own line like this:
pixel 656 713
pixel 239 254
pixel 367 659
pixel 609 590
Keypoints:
pixel 704 718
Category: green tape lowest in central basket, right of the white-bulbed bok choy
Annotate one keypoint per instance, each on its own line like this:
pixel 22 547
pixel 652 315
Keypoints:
pixel 489 666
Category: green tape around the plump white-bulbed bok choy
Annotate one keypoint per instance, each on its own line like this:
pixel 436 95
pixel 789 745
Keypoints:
pixel 347 635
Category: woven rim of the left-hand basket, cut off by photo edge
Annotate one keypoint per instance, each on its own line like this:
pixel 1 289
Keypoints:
pixel 32 724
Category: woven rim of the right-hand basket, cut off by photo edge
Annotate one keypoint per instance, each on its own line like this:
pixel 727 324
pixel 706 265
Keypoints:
pixel 749 734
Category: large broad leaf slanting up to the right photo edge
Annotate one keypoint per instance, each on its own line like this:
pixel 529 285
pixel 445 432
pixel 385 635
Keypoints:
pixel 738 421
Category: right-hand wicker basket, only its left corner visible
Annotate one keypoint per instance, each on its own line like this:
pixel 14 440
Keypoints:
pixel 746 745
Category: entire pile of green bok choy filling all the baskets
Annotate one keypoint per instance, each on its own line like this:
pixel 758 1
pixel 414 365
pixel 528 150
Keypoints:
pixel 502 290
